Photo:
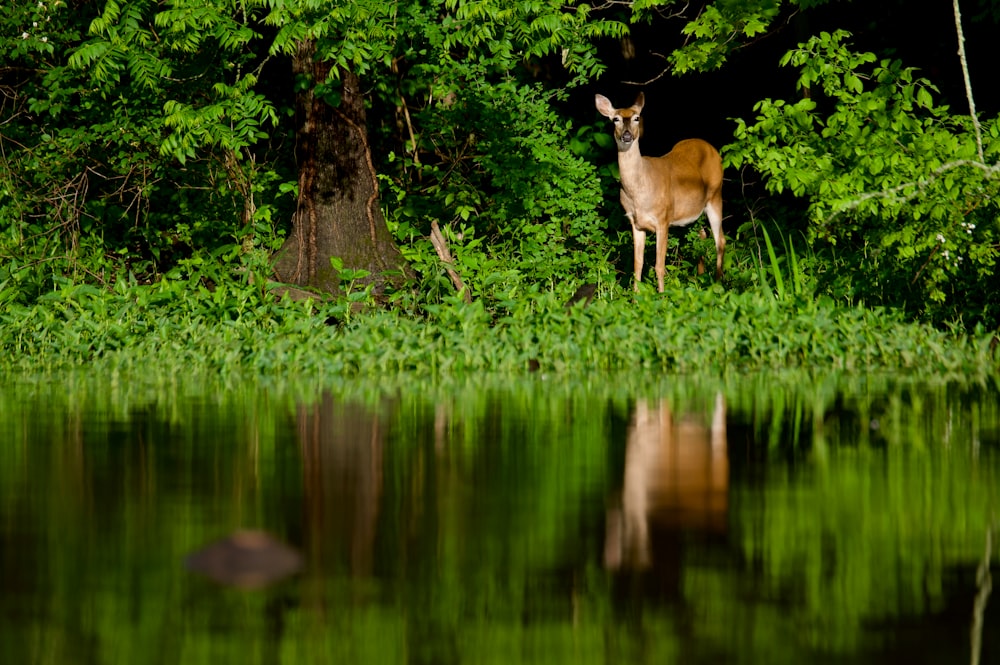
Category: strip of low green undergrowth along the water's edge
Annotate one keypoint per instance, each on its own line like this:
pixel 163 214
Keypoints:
pixel 179 327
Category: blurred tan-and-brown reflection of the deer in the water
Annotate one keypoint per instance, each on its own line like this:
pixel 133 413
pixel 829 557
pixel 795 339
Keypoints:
pixel 676 479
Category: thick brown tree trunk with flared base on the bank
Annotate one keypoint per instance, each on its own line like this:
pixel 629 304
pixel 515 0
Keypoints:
pixel 338 213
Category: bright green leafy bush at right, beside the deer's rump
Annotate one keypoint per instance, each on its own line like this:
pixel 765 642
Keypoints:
pixel 892 180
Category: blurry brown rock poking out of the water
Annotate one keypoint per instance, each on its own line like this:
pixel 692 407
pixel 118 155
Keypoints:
pixel 246 559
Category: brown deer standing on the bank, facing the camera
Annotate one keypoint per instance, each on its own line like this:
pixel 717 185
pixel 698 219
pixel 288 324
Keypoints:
pixel 660 192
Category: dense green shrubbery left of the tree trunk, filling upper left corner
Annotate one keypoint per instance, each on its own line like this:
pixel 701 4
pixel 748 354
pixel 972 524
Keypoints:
pixel 100 172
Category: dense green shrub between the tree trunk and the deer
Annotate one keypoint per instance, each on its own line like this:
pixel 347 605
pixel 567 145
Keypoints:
pixel 519 207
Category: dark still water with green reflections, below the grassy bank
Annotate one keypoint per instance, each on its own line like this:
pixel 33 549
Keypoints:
pixel 756 520
